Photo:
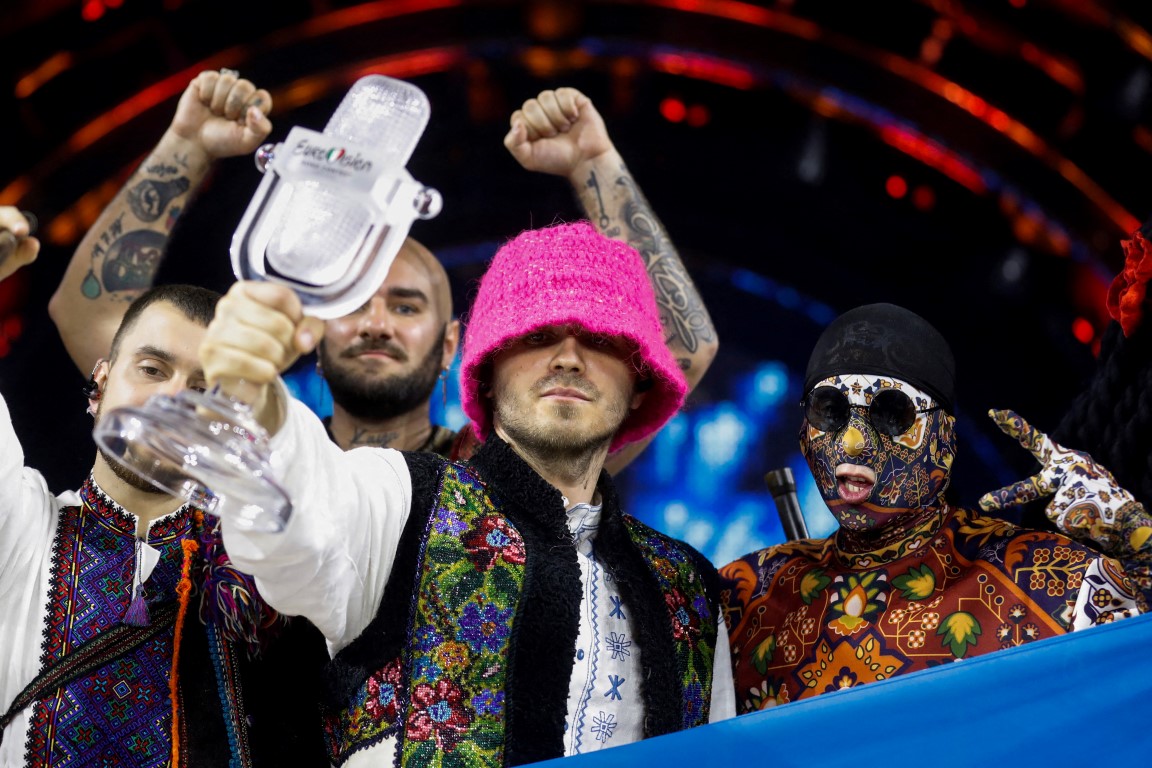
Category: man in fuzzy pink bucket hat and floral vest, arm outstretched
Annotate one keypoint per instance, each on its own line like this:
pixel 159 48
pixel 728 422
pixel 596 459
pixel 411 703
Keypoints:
pixel 504 611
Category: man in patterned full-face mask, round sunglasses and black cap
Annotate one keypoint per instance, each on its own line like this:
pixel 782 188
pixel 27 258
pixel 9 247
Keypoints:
pixel 908 582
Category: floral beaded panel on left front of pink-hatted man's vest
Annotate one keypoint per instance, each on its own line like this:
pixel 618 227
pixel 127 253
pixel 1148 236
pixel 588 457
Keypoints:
pixel 472 572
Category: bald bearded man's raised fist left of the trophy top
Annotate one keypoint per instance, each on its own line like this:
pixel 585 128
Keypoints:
pixel 225 115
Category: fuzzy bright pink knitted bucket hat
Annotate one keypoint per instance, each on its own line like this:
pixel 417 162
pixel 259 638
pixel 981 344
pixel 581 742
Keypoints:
pixel 571 275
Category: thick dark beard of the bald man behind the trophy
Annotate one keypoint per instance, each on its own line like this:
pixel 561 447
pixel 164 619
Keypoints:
pixel 383 398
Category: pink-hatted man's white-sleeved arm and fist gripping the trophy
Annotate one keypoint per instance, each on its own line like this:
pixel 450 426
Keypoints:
pixel 332 561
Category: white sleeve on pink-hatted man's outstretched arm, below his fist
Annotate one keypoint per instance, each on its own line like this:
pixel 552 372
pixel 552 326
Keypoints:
pixel 332 561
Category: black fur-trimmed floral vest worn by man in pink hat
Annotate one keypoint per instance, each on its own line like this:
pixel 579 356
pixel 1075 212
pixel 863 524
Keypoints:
pixel 472 650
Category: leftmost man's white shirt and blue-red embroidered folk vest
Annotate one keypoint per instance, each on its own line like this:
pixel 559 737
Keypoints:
pixel 122 629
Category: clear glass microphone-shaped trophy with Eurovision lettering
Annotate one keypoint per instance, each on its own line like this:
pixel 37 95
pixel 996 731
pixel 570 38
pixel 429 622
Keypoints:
pixel 329 218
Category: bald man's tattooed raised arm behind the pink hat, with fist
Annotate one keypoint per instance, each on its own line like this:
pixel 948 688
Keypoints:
pixel 562 133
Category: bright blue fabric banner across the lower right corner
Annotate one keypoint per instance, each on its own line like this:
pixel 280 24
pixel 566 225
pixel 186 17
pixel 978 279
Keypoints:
pixel 1079 699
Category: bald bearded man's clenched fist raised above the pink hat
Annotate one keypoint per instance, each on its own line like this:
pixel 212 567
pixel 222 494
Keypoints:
pixel 557 132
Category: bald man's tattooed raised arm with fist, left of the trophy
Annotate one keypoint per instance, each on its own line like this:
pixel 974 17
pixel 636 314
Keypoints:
pixel 219 116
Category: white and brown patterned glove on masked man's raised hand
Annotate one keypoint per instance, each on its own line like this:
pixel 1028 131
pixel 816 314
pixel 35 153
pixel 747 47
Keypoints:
pixel 1088 504
